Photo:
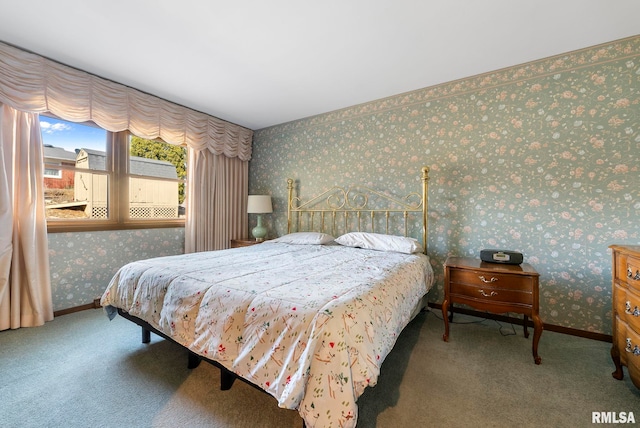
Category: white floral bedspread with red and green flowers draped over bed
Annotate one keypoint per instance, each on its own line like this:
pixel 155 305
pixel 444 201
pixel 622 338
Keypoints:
pixel 309 324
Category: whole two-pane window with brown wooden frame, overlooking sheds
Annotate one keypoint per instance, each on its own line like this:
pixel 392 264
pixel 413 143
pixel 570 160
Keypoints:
pixel 95 179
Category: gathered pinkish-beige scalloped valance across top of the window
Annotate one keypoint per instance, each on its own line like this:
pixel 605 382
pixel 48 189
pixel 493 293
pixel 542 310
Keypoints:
pixel 29 82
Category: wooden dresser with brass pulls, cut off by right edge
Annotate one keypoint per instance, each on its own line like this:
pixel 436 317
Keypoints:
pixel 626 311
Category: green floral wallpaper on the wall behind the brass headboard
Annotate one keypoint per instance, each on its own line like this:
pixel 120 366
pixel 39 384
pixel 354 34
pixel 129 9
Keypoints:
pixel 541 158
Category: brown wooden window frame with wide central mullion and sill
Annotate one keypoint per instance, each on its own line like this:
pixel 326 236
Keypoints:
pixel 118 178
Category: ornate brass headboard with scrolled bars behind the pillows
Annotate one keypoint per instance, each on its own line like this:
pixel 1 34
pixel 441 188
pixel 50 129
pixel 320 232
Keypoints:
pixel 348 204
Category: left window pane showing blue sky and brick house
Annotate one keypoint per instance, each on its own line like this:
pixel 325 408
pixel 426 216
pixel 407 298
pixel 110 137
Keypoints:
pixel 70 193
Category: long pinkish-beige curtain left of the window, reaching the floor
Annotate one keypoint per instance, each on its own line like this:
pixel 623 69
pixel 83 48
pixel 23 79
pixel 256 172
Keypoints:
pixel 25 287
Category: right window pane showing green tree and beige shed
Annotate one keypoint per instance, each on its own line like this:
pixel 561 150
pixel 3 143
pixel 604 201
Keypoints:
pixel 156 184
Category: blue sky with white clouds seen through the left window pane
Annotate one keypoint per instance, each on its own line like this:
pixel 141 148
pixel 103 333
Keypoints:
pixel 70 135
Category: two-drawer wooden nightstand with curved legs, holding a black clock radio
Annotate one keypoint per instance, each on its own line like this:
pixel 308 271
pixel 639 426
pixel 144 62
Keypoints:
pixel 493 287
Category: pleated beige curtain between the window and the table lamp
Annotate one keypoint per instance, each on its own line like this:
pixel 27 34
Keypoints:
pixel 218 189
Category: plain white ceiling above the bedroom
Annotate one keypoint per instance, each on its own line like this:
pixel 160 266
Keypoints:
pixel 259 63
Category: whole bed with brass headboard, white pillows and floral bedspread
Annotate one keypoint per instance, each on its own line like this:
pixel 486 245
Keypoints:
pixel 308 317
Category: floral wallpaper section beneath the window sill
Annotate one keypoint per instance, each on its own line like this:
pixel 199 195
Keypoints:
pixel 82 264
